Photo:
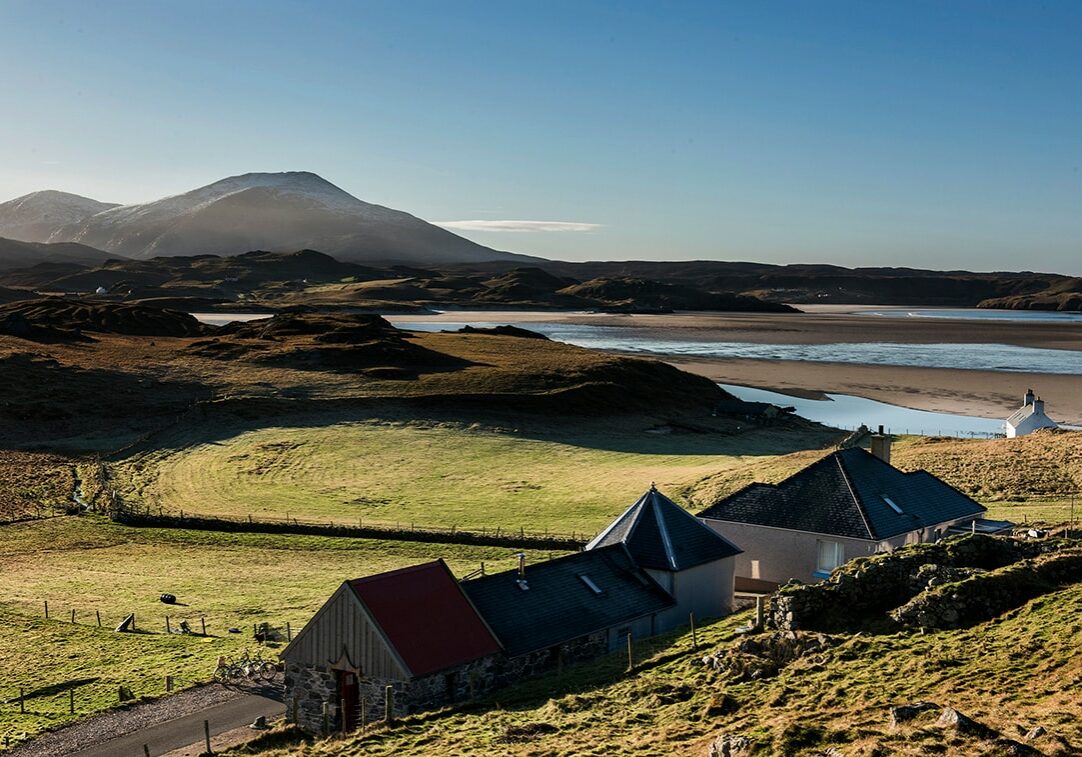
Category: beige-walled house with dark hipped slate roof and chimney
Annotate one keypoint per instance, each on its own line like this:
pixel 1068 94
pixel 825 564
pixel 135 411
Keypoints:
pixel 849 504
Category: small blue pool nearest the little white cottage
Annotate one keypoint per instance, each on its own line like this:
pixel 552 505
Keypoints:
pixel 846 411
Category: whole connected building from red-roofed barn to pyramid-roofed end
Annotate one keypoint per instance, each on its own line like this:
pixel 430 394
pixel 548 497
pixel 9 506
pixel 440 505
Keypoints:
pixel 436 641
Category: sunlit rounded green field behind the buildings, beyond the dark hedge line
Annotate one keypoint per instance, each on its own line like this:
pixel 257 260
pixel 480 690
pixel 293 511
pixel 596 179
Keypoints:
pixel 442 475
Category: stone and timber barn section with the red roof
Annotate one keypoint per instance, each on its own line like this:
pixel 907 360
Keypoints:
pixel 413 630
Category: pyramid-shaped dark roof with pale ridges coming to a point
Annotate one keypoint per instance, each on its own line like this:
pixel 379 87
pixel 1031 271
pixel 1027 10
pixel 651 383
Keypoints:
pixel 661 535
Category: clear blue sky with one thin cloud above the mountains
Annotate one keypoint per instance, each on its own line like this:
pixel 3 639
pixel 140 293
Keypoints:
pixel 929 135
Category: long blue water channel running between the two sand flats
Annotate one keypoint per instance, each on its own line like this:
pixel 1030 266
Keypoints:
pixel 987 357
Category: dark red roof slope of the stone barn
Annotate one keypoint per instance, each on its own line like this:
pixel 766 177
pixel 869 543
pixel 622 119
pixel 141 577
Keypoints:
pixel 427 617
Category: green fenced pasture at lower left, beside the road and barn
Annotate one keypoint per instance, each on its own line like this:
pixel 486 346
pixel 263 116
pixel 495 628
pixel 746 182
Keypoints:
pixel 90 566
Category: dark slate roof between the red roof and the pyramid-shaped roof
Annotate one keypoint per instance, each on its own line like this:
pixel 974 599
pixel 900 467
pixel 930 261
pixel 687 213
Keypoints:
pixel 560 606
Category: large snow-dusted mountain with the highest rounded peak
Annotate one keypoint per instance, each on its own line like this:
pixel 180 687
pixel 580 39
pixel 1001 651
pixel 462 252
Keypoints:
pixel 276 213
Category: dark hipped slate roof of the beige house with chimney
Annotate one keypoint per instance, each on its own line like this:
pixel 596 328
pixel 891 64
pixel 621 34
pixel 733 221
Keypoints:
pixel 843 496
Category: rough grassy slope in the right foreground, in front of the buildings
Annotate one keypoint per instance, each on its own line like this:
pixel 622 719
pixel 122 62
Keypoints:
pixel 1012 674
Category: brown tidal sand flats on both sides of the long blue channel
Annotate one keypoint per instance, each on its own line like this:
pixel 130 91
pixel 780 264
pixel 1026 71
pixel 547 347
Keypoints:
pixel 987 394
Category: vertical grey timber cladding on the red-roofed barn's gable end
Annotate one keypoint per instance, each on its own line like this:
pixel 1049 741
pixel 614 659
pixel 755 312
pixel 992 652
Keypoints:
pixel 344 625
